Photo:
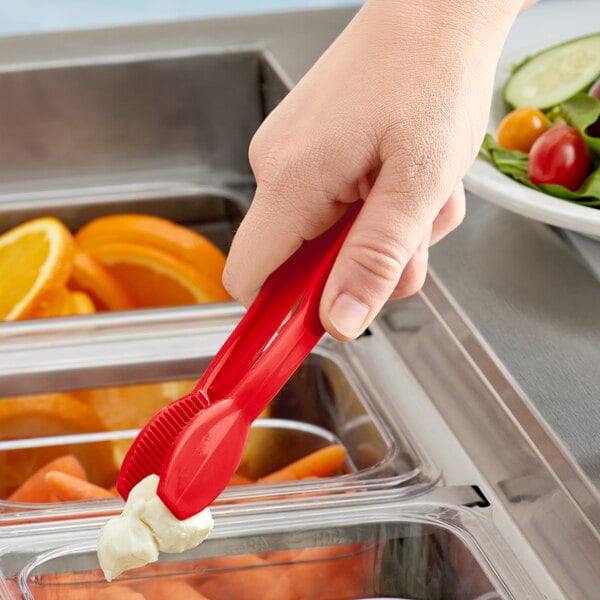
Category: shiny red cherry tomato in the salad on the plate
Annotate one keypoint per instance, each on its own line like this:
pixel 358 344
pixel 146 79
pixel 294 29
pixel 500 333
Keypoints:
pixel 559 156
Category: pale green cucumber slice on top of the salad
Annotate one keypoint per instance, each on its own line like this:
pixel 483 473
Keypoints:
pixel 555 74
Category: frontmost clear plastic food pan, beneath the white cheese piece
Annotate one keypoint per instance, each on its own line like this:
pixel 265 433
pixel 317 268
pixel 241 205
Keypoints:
pixel 407 550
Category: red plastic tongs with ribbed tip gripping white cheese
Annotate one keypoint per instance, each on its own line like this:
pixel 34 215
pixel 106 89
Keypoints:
pixel 195 444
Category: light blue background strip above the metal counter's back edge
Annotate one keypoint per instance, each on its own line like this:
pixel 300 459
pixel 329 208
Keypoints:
pixel 32 16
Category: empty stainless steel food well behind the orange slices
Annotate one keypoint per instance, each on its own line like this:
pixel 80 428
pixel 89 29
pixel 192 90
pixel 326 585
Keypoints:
pixel 130 133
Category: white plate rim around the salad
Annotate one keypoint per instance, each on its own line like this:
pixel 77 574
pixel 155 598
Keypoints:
pixel 485 181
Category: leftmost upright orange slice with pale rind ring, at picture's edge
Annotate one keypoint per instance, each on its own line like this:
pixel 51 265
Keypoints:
pixel 35 262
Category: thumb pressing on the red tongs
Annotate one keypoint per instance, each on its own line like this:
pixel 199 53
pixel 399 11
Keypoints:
pixel 386 234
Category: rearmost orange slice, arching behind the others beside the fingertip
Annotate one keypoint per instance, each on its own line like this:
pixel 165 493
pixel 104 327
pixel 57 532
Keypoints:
pixel 160 233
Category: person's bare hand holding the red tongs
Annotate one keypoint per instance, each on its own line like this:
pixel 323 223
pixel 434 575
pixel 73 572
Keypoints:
pixel 393 112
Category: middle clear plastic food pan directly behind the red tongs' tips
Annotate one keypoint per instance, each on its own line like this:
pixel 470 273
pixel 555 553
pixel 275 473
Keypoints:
pixel 326 402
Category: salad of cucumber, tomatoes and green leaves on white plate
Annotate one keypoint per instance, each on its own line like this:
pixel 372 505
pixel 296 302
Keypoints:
pixel 549 138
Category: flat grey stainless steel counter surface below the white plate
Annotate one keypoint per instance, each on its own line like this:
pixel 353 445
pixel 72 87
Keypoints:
pixel 535 301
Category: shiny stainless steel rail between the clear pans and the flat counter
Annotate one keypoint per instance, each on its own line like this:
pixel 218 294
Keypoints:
pixel 527 470
